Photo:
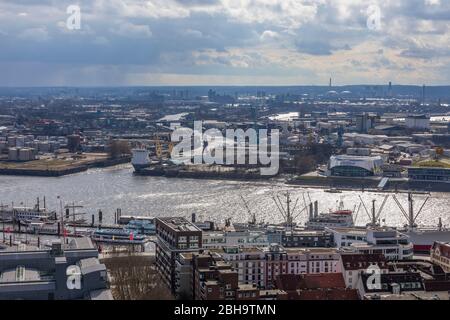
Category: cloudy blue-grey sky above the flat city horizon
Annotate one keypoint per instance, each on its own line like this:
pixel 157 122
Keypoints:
pixel 225 42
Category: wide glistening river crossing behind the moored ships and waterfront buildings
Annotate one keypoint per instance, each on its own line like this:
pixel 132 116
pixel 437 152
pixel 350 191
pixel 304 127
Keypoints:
pixel 117 187
